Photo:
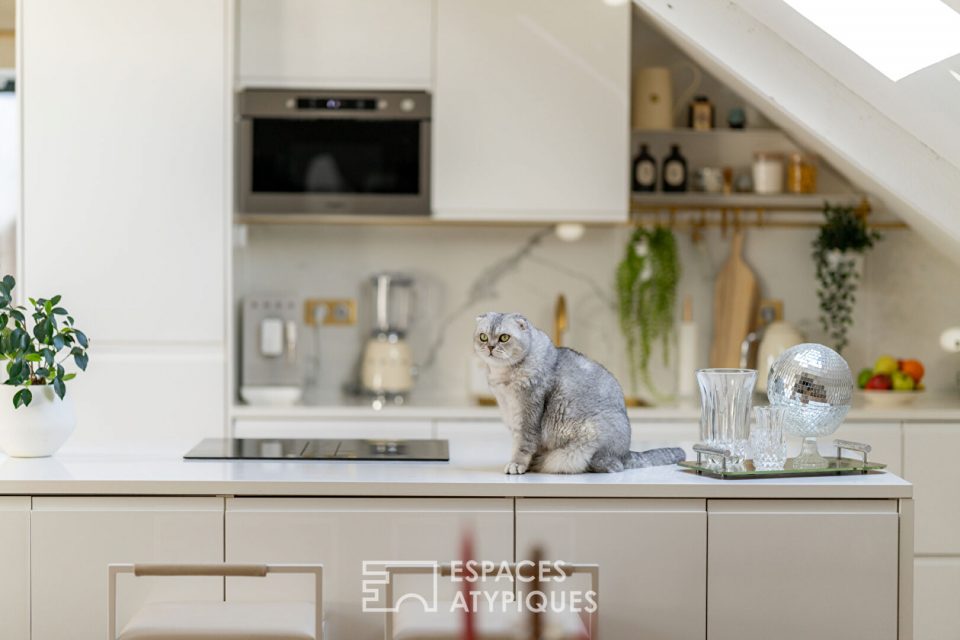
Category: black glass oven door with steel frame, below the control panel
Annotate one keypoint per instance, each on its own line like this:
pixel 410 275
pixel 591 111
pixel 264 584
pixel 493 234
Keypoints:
pixel 329 165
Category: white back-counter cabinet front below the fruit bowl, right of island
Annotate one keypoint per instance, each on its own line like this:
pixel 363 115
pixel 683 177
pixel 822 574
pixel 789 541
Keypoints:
pixel 929 457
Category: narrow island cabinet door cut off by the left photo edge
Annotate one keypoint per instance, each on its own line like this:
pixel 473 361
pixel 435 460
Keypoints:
pixel 15 568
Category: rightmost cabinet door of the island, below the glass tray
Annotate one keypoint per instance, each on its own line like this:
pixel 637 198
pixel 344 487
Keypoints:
pixel 798 569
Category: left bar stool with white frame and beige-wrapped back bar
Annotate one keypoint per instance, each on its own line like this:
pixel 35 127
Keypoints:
pixel 221 620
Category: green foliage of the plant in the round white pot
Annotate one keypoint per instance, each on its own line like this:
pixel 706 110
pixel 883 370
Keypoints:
pixel 36 356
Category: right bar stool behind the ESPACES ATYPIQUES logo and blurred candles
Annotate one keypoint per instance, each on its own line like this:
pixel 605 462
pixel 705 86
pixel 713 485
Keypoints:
pixel 408 619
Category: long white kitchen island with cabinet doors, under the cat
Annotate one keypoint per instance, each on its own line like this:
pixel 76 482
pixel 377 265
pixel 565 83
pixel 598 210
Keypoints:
pixel 681 556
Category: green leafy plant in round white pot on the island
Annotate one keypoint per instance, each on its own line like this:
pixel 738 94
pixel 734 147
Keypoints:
pixel 36 416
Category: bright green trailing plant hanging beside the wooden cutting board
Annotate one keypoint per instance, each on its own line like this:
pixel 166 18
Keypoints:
pixel 647 279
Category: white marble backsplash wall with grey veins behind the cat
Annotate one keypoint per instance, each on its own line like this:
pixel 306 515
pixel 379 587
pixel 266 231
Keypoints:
pixel 902 309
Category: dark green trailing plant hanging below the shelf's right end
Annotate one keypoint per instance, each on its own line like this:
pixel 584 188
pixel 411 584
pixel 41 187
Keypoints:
pixel 842 239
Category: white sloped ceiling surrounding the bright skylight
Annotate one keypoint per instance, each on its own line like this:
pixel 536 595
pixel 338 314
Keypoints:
pixel 899 141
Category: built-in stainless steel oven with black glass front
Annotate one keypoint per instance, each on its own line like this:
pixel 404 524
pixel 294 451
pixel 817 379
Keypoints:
pixel 348 152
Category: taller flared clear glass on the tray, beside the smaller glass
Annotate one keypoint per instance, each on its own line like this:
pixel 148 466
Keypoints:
pixel 725 398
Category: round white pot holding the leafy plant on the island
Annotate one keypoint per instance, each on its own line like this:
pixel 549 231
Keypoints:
pixel 38 430
